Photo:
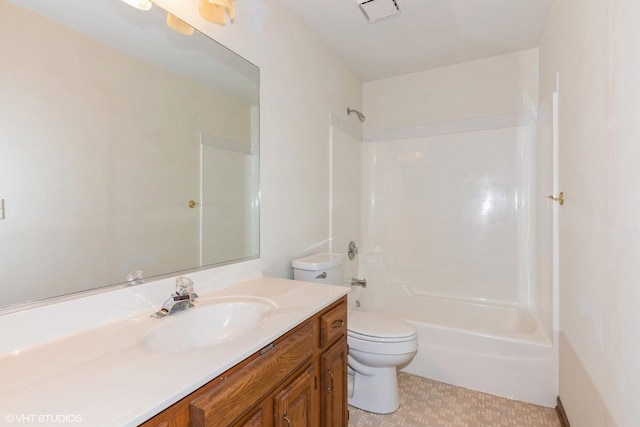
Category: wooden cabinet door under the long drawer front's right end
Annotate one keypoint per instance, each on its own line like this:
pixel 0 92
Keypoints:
pixel 293 405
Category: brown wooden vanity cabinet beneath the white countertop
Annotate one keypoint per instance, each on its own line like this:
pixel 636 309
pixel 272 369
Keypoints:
pixel 299 380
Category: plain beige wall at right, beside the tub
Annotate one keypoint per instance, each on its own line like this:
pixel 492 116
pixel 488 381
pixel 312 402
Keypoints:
pixel 593 47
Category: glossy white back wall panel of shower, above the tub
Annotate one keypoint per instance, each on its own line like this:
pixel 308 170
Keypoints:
pixel 452 213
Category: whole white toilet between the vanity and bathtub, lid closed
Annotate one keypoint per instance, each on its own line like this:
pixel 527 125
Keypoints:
pixel 378 344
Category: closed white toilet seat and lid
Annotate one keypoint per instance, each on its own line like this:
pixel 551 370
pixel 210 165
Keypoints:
pixel 377 327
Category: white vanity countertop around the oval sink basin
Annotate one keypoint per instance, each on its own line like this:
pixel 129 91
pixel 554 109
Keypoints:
pixel 104 377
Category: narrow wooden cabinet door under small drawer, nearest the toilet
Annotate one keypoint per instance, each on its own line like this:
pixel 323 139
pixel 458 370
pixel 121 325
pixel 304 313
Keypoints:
pixel 333 385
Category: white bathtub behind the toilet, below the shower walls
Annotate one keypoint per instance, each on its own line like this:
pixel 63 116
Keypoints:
pixel 496 349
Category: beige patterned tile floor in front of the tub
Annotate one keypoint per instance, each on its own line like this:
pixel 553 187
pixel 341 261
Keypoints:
pixel 425 402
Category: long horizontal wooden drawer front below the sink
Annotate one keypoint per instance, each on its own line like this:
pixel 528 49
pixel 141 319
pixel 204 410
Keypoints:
pixel 238 392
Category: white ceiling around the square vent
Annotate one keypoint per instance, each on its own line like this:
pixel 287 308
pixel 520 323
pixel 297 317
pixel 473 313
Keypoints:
pixel 428 33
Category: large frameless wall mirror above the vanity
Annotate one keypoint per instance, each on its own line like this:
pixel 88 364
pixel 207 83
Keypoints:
pixel 124 147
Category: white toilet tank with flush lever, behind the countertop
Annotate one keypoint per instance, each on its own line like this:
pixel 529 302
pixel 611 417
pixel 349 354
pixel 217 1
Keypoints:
pixel 320 268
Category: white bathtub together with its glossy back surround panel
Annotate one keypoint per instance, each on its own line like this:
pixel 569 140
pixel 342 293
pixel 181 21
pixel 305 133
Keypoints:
pixel 449 242
